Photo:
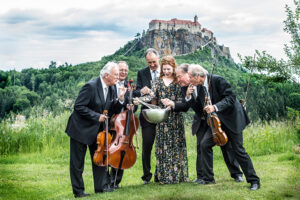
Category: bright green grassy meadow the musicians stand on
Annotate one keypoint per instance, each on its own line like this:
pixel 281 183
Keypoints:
pixel 41 171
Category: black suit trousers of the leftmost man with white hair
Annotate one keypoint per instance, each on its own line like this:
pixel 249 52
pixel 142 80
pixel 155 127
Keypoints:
pixel 77 157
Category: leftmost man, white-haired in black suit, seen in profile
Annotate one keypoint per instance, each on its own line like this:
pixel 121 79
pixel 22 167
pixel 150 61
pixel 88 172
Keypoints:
pixel 87 121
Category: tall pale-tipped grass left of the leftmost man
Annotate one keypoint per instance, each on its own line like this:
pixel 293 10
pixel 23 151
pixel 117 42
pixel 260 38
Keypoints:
pixel 35 135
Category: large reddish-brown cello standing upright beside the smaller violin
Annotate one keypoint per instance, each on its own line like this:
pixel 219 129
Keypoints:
pixel 122 151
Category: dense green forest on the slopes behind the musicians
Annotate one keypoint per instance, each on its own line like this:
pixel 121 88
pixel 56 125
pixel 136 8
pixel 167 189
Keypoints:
pixel 54 89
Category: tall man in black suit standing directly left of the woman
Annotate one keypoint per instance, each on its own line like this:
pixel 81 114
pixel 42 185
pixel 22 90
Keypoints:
pixel 145 77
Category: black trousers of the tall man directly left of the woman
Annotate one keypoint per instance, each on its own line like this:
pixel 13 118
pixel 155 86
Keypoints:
pixel 148 134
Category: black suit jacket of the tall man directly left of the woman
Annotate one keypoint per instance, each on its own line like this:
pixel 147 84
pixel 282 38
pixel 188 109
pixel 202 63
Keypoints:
pixel 143 79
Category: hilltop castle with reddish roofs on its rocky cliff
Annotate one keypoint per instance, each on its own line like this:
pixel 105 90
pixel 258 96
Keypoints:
pixel 177 37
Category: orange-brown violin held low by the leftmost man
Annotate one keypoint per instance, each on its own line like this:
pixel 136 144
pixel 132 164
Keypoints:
pixel 102 155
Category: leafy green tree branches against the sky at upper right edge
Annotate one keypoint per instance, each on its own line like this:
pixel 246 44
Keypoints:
pixel 280 70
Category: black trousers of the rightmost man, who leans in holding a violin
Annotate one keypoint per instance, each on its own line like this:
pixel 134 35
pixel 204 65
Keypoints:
pixel 236 140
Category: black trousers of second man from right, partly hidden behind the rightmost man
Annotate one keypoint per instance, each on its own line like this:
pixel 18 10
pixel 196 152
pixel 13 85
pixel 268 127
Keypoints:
pixel 228 155
